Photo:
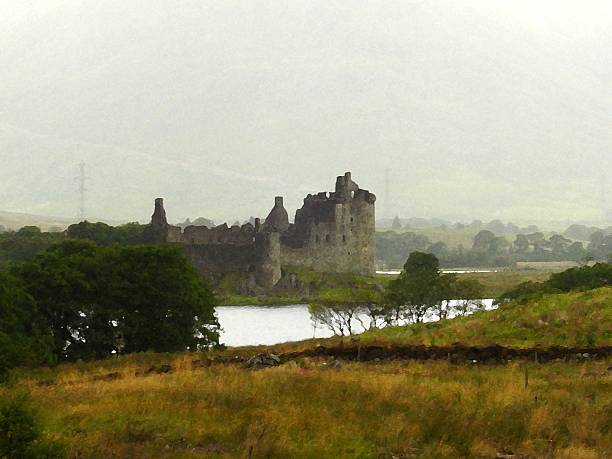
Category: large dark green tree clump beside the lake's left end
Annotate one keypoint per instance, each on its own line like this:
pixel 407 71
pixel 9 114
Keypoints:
pixel 100 300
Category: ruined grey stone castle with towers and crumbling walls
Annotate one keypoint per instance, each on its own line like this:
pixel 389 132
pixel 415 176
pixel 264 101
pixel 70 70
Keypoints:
pixel 332 232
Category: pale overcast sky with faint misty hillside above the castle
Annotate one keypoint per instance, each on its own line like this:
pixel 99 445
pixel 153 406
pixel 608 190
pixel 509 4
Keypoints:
pixel 477 109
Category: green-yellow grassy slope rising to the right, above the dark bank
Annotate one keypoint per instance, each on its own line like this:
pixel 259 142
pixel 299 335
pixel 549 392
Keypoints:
pixel 571 319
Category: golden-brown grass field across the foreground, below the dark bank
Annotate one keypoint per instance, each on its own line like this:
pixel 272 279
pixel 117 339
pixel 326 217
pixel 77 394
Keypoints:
pixel 305 409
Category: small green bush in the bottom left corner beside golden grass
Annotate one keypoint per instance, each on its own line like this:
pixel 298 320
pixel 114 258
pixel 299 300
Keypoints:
pixel 21 435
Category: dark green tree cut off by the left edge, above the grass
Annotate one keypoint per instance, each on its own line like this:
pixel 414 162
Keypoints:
pixel 25 339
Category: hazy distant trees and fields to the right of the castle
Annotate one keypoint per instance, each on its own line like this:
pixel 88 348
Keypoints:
pixel 489 249
